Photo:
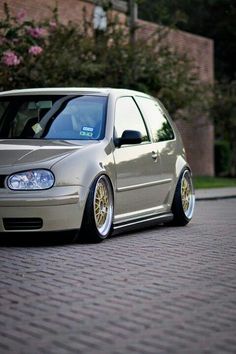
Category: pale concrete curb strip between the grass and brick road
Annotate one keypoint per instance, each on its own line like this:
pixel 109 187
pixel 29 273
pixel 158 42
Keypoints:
pixel 215 193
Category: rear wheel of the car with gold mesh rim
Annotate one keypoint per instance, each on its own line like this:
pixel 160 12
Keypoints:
pixel 184 199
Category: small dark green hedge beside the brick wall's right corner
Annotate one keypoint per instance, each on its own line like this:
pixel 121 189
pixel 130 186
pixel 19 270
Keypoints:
pixel 223 158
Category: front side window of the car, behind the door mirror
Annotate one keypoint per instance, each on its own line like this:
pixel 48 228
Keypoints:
pixel 128 117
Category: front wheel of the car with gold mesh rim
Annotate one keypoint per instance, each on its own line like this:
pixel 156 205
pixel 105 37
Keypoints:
pixel 97 223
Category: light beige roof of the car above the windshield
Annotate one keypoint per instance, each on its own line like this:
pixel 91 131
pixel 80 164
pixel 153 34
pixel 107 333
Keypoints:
pixel 72 91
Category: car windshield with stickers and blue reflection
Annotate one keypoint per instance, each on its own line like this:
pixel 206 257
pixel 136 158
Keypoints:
pixel 52 117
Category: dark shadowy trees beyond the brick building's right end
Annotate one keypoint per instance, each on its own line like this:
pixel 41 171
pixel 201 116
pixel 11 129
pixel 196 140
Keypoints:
pixel 214 19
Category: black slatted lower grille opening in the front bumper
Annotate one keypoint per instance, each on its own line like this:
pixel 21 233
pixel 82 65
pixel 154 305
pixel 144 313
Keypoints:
pixel 15 224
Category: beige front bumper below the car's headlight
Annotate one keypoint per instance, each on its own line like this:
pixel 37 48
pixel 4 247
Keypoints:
pixel 59 208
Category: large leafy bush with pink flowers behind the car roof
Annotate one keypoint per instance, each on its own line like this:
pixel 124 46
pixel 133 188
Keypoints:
pixel 36 54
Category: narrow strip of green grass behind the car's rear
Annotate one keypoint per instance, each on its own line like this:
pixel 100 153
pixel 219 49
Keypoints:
pixel 213 182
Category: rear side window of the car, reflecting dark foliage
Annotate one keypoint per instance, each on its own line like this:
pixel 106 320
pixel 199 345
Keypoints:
pixel 161 128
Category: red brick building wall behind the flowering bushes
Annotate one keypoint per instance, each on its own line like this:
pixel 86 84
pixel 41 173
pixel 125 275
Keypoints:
pixel 198 134
